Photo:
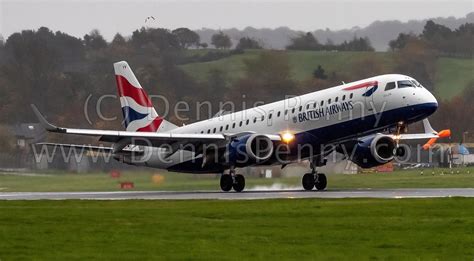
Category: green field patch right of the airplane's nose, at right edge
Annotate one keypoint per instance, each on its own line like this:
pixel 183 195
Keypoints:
pixel 452 76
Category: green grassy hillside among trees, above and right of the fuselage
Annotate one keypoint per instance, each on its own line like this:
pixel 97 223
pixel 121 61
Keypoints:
pixel 452 74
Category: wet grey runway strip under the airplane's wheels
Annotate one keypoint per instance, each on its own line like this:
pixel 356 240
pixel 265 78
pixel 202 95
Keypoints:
pixel 246 195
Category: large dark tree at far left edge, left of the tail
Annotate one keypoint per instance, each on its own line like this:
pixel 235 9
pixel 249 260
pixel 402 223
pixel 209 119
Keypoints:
pixel 33 68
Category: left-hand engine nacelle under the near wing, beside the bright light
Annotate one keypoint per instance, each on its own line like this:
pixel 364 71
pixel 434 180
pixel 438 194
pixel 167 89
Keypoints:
pixel 249 149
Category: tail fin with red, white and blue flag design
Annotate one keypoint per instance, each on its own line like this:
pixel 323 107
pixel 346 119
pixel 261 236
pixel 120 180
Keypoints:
pixel 138 111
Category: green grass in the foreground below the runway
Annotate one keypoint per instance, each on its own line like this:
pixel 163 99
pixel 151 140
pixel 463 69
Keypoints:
pixel 290 229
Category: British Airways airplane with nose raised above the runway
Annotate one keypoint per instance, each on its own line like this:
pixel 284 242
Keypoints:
pixel 368 118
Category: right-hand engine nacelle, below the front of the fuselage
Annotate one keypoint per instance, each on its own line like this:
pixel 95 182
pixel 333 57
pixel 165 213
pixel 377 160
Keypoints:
pixel 374 151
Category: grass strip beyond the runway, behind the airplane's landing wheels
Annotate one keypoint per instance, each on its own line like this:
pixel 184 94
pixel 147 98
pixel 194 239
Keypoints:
pixel 428 178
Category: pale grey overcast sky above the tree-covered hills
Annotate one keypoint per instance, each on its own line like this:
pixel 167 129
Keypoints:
pixel 80 17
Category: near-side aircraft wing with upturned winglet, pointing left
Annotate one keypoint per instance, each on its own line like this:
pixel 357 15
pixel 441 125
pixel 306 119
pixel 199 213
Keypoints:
pixel 155 139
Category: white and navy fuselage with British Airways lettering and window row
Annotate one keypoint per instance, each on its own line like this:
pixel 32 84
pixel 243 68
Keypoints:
pixel 323 117
